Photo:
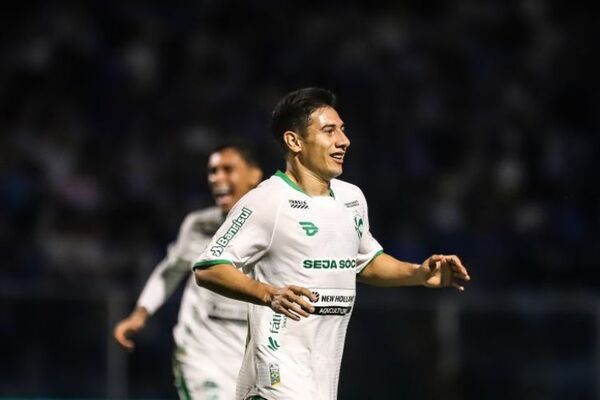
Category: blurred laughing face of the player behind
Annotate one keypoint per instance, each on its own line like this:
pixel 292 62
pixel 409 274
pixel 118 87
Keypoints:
pixel 230 177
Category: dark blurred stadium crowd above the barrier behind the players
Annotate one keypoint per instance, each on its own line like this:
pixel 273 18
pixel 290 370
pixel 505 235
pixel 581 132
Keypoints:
pixel 474 128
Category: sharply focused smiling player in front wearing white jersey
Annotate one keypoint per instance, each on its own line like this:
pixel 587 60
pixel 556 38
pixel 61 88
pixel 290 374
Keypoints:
pixel 294 248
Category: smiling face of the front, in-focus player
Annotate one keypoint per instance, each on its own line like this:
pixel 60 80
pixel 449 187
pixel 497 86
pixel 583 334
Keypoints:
pixel 325 144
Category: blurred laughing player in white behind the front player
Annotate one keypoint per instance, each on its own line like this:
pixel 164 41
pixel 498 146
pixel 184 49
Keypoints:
pixel 211 330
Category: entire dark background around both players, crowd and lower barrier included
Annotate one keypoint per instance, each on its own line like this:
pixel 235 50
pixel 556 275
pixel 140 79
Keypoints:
pixel 474 128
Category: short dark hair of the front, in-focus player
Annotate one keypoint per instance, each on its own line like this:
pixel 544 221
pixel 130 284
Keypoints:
pixel 292 112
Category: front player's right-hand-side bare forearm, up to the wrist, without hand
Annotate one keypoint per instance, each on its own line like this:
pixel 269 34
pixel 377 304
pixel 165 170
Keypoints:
pixel 385 270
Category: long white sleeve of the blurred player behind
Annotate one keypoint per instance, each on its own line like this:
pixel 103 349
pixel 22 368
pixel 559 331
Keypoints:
pixel 167 275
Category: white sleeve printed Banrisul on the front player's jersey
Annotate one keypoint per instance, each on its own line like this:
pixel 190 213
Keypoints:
pixel 246 234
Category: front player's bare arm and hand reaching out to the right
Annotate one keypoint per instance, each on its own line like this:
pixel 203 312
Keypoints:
pixel 437 271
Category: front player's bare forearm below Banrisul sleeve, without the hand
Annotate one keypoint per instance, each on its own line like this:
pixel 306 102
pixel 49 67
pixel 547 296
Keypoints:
pixel 229 282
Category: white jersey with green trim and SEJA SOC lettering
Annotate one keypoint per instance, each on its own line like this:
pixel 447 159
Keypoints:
pixel 279 235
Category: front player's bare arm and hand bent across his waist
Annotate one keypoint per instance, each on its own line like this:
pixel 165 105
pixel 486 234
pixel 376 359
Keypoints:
pixel 228 281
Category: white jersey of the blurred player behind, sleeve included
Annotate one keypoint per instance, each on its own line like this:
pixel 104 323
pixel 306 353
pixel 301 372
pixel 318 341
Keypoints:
pixel 211 329
